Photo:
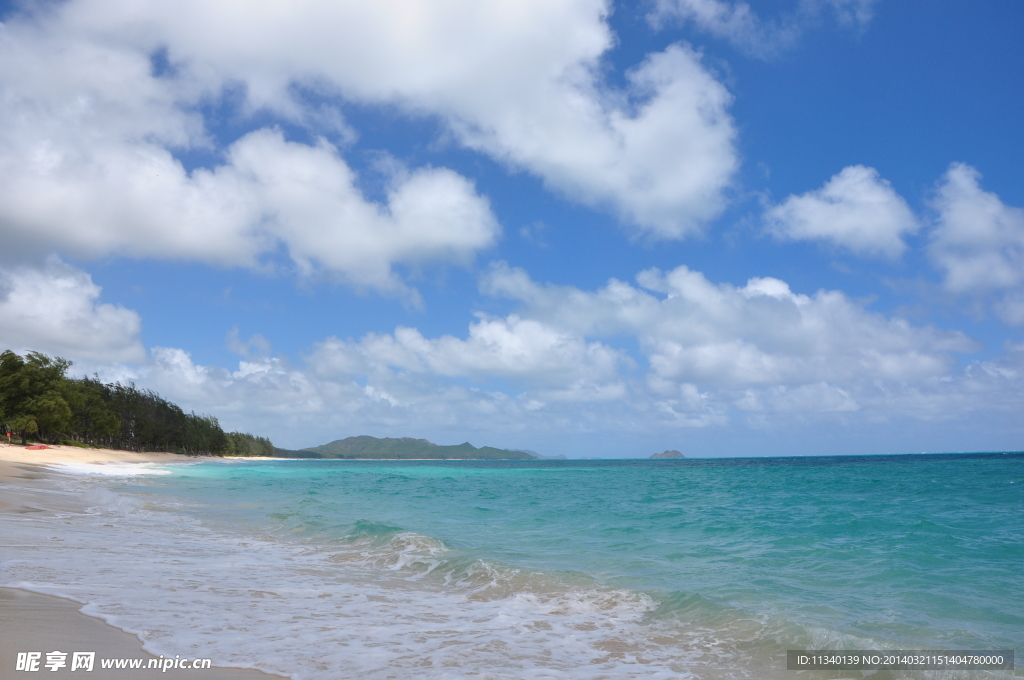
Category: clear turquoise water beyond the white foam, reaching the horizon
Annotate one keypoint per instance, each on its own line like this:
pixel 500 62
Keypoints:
pixel 918 550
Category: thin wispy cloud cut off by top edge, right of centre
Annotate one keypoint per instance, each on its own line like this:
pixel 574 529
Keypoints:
pixel 739 24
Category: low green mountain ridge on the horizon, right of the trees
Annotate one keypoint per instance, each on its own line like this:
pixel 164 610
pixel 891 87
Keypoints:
pixel 403 449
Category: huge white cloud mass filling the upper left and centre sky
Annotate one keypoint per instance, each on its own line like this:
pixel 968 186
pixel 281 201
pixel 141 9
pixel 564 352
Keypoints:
pixel 92 125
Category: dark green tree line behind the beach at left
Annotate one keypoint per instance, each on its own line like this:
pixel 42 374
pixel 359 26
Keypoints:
pixel 39 402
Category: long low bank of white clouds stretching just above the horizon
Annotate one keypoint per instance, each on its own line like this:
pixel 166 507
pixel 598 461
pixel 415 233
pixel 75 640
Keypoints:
pixel 707 356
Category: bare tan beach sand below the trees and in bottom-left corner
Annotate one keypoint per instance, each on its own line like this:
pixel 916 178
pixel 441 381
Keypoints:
pixel 34 623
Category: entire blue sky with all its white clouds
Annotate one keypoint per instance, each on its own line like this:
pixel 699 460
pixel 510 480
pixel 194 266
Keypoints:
pixel 576 228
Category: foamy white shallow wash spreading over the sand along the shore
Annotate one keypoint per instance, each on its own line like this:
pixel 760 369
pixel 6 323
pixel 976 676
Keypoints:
pixel 369 609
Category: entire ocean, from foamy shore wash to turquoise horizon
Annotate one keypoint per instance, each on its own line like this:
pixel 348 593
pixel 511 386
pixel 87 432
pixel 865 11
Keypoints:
pixel 600 569
